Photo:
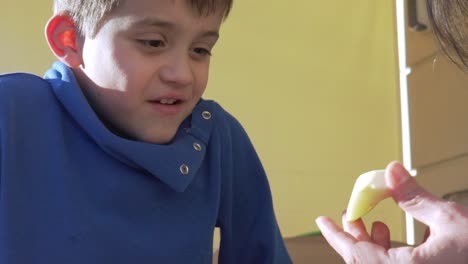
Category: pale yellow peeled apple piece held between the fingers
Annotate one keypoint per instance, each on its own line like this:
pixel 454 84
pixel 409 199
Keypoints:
pixel 370 188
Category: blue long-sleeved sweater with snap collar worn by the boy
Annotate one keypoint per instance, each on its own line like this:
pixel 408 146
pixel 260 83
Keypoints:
pixel 73 192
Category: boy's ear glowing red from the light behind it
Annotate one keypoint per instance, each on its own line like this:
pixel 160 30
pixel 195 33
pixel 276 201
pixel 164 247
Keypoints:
pixel 61 34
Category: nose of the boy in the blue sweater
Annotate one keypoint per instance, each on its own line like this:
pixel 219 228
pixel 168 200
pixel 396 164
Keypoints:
pixel 177 71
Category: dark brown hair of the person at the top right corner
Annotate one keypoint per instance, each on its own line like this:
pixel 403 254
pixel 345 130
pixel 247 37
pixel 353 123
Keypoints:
pixel 449 23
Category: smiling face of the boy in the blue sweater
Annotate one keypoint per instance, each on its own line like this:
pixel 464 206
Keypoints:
pixel 147 67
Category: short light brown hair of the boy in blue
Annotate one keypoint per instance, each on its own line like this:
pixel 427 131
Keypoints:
pixel 89 15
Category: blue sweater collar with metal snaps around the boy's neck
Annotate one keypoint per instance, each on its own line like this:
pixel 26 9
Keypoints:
pixel 175 164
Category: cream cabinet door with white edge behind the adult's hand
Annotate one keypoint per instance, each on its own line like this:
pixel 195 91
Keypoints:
pixel 434 104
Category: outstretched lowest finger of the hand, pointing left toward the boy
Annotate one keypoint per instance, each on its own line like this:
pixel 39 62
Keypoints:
pixel 341 241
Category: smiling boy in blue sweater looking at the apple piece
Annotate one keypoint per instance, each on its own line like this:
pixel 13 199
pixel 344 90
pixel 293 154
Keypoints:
pixel 114 157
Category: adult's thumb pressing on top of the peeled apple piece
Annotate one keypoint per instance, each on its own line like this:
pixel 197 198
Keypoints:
pixel 411 197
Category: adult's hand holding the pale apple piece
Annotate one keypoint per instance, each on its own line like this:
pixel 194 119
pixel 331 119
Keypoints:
pixel 448 223
